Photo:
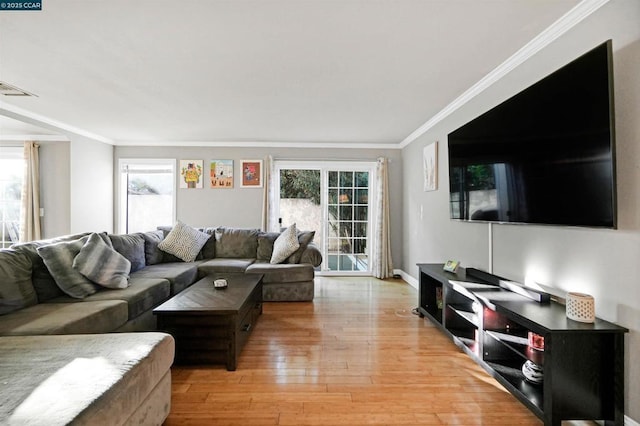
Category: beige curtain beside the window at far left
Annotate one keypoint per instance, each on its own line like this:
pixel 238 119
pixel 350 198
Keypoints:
pixel 30 209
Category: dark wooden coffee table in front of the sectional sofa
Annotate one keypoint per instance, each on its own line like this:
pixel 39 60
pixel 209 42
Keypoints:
pixel 212 325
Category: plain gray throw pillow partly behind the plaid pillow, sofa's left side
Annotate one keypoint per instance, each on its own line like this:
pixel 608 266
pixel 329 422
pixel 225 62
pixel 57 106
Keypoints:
pixel 58 258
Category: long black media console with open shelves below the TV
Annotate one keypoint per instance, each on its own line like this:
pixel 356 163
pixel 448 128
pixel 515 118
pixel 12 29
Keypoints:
pixel 583 364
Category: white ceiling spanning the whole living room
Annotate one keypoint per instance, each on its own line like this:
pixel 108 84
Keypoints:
pixel 299 72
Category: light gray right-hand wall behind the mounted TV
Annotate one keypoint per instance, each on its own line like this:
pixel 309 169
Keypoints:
pixel 604 263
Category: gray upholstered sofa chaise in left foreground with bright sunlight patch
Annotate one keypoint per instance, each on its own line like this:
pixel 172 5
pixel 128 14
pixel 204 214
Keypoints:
pixel 86 379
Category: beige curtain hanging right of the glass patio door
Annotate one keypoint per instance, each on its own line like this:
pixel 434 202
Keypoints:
pixel 382 264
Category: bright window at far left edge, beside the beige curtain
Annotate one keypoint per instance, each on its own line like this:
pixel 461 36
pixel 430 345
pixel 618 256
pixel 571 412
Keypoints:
pixel 11 175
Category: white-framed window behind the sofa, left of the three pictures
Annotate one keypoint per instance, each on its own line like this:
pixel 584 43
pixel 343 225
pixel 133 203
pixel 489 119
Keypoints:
pixel 147 194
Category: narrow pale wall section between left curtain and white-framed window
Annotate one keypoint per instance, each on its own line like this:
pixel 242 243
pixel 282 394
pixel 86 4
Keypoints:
pixel 91 185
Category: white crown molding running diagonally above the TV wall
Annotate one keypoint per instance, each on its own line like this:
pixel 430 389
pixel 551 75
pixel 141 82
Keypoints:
pixel 576 15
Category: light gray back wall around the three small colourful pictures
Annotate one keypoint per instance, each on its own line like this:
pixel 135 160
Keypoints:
pixel 242 207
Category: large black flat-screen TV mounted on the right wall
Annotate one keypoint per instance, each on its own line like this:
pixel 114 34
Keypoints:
pixel 544 156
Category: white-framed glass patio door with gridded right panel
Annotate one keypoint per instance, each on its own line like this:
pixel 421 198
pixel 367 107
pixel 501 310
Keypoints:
pixel 332 199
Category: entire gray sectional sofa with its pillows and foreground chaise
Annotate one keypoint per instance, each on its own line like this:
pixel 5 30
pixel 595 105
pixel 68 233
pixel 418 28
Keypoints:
pixel 43 296
